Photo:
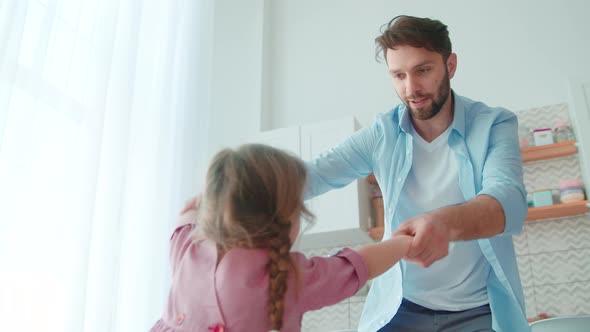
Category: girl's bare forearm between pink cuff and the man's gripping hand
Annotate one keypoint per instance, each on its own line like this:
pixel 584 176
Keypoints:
pixel 381 256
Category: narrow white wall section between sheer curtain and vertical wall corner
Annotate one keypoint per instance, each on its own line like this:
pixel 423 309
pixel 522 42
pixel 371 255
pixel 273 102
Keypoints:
pixel 235 72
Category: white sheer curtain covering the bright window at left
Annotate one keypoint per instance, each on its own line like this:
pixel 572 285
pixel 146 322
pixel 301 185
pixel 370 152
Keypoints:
pixel 103 117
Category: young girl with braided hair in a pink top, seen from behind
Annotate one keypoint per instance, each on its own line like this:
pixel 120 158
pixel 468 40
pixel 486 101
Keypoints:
pixel 231 262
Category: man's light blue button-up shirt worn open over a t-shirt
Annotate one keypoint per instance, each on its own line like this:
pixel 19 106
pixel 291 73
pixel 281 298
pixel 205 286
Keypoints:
pixel 485 142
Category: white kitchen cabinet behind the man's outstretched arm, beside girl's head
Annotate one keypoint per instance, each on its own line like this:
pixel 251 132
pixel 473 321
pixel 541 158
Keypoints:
pixel 342 215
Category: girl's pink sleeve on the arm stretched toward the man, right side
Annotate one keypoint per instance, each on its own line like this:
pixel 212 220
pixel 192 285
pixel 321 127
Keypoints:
pixel 329 280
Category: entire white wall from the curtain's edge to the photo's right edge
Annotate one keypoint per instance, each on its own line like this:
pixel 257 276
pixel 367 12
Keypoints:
pixel 279 63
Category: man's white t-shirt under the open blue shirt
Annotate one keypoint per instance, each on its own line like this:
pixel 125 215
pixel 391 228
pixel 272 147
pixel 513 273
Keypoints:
pixel 458 281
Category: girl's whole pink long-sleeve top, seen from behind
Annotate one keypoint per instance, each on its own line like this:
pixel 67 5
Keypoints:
pixel 233 294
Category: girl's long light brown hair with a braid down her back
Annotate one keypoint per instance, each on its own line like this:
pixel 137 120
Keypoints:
pixel 251 195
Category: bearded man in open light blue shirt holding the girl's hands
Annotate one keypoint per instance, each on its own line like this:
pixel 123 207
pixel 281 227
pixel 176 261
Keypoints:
pixel 451 172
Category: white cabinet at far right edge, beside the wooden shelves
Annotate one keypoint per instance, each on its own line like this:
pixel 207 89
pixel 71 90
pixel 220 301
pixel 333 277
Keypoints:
pixel 580 111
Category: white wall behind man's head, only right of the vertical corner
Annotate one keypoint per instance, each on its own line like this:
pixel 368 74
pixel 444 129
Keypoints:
pixel 516 54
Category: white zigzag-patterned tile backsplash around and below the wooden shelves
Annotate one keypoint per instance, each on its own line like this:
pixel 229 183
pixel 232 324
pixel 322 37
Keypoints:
pixel 553 255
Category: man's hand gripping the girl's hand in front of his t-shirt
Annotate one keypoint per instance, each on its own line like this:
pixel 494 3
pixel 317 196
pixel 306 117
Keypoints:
pixel 430 239
